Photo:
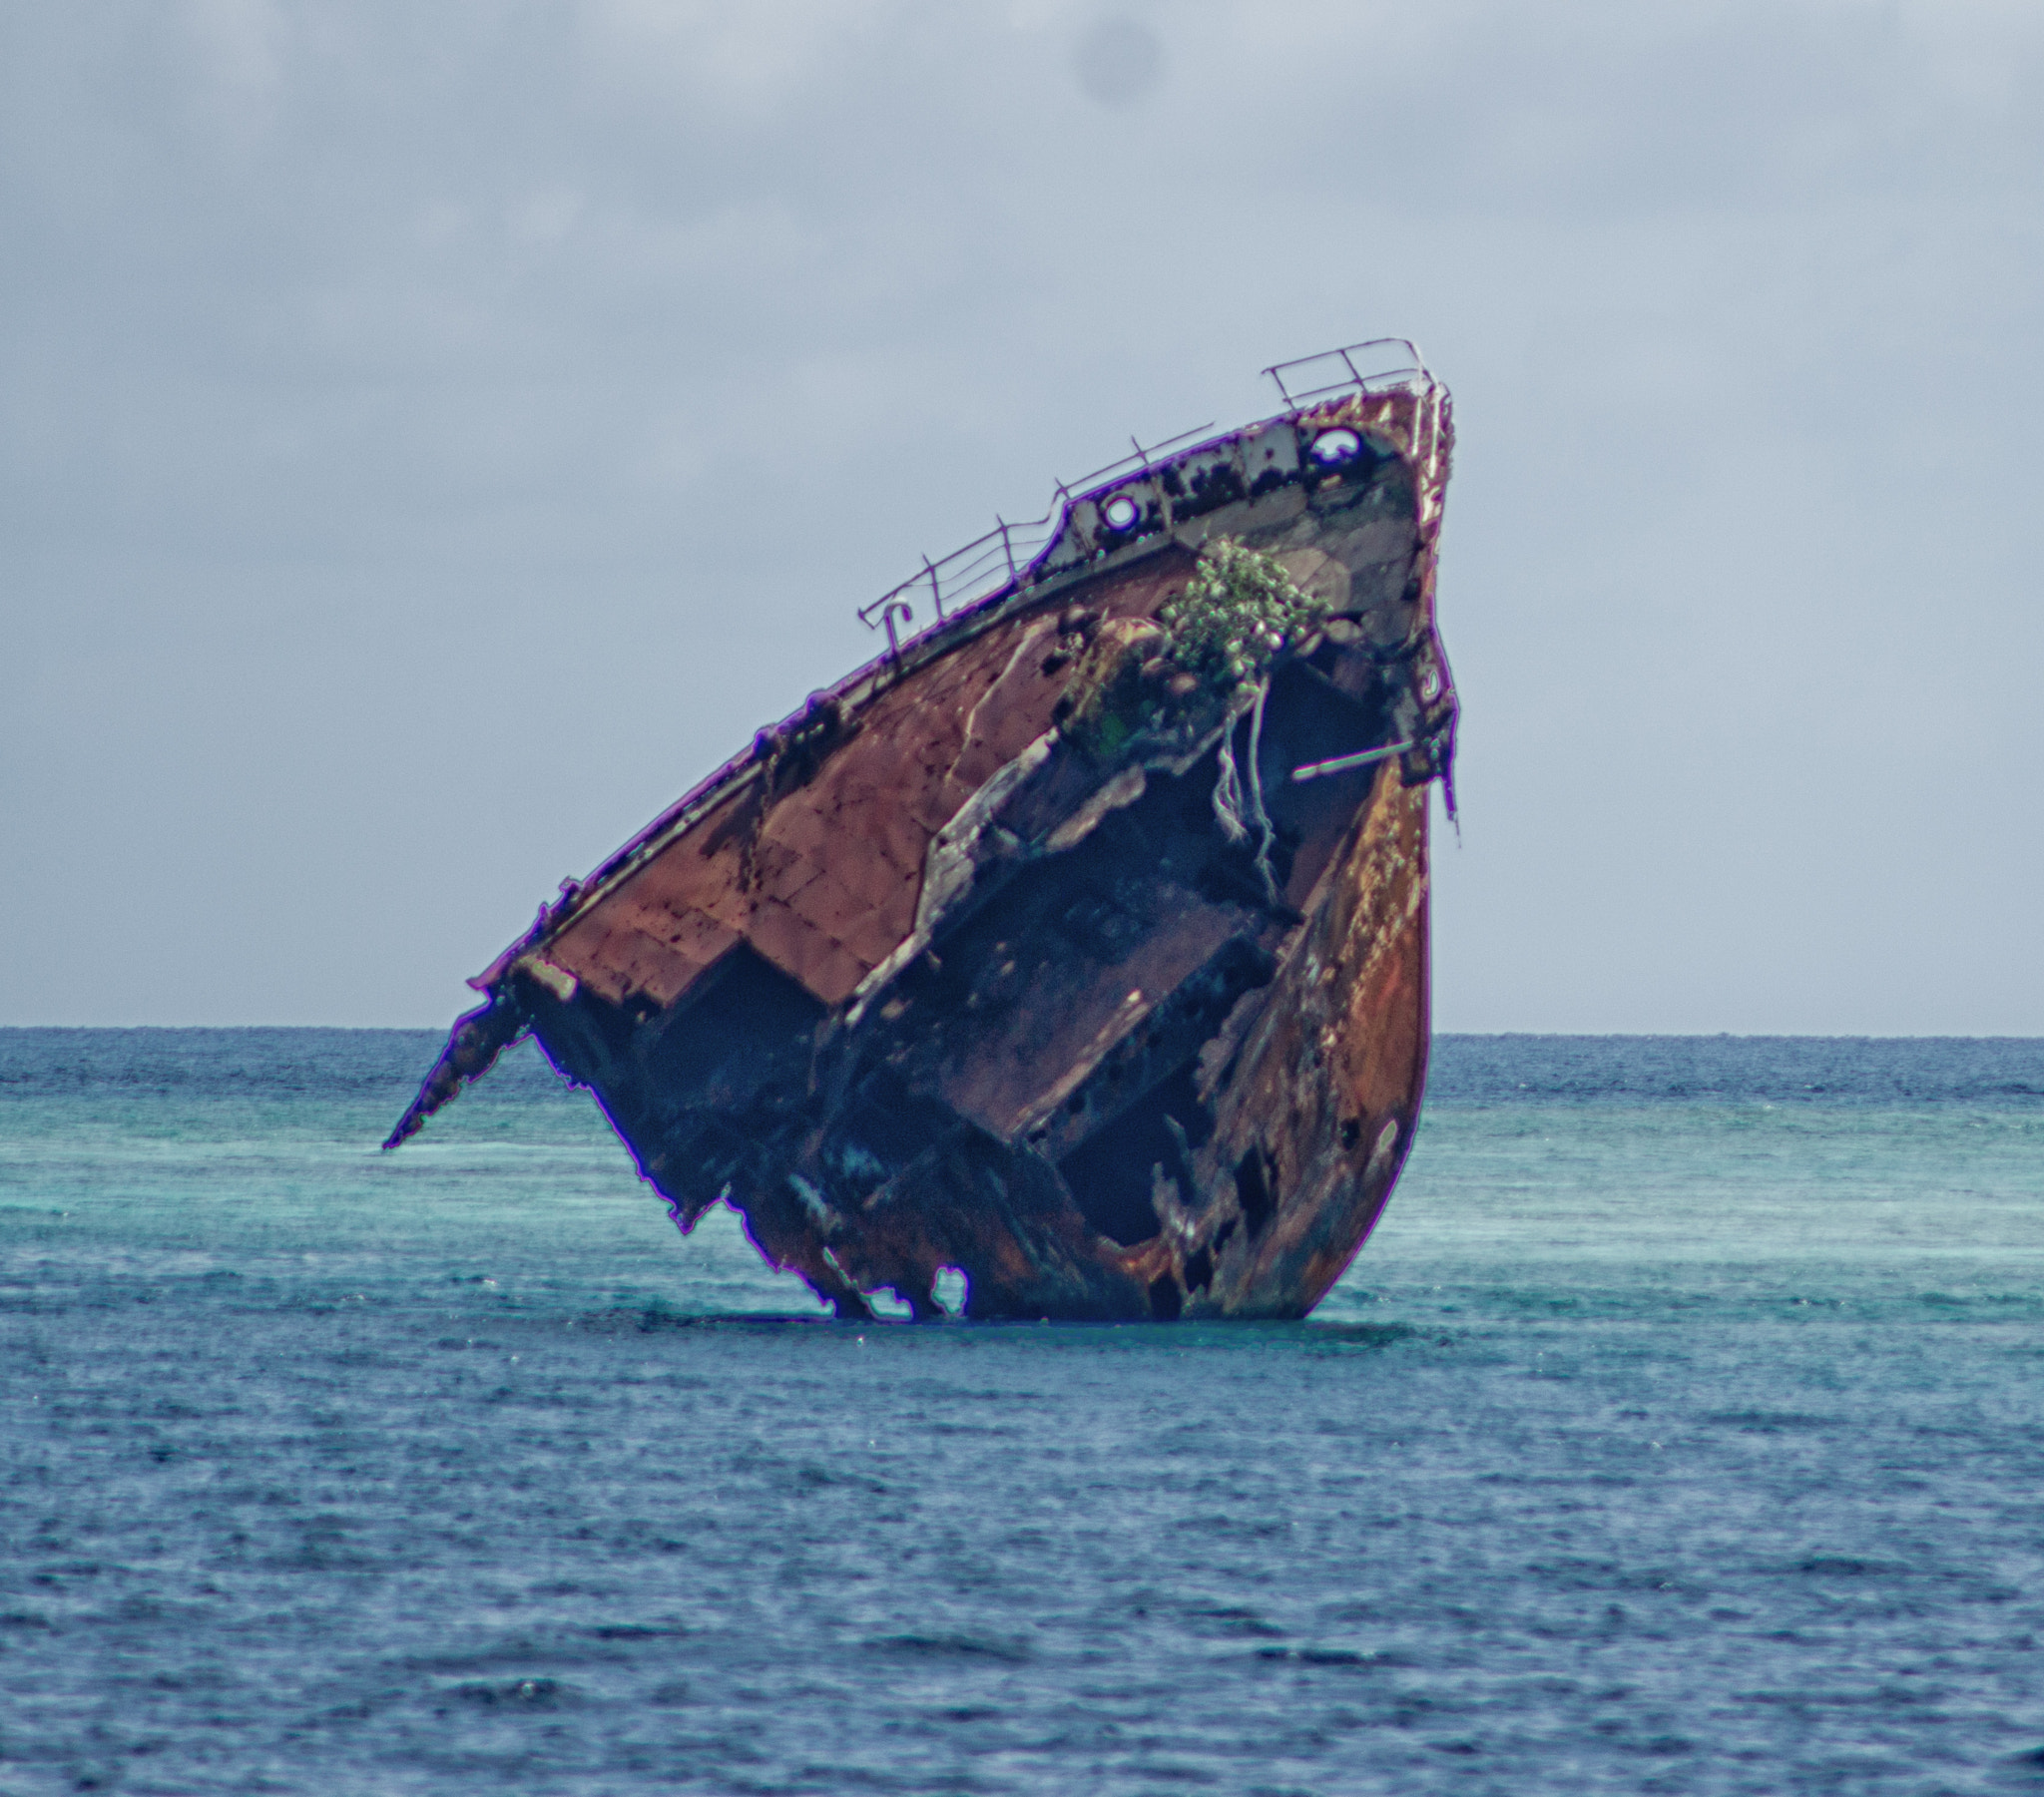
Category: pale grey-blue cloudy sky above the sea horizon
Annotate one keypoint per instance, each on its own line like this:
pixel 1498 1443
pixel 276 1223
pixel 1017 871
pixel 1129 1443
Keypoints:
pixel 432 436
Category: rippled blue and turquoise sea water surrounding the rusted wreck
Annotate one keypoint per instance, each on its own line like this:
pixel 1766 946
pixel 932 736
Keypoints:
pixel 1681 1430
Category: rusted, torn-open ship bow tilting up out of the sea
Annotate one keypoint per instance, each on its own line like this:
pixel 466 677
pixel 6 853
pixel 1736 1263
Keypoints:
pixel 1078 943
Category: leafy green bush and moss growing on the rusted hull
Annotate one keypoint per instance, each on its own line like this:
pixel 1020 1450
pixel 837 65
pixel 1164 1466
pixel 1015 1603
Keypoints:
pixel 1209 645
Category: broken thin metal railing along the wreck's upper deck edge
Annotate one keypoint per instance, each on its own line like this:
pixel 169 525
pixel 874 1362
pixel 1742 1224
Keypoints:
pixel 1009 553
